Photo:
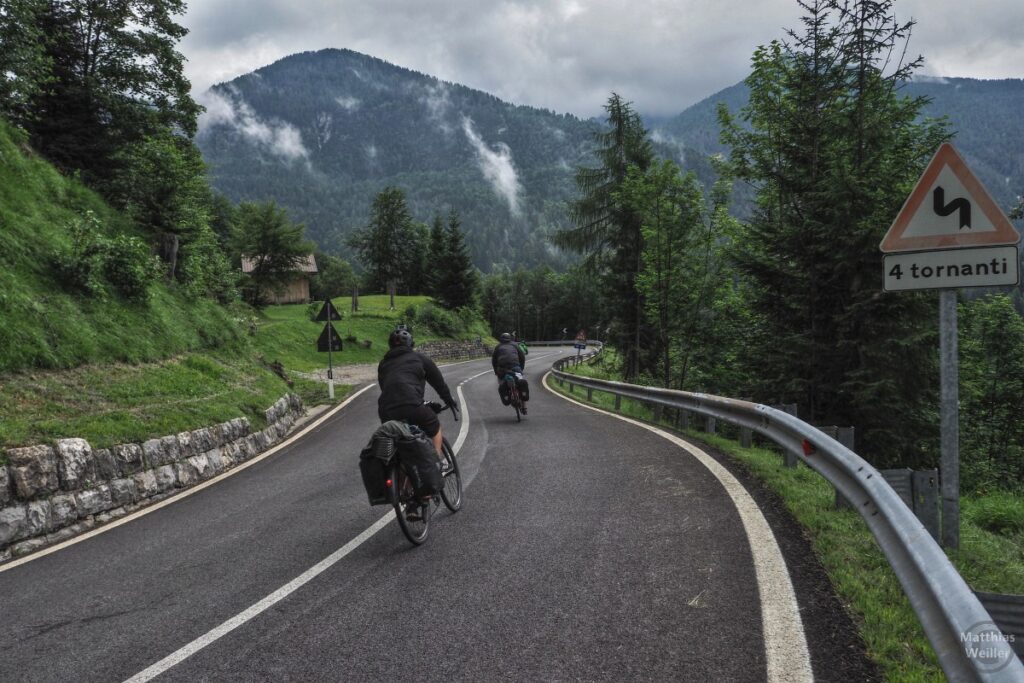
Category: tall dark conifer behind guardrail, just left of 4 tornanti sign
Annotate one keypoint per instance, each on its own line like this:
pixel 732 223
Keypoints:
pixel 834 151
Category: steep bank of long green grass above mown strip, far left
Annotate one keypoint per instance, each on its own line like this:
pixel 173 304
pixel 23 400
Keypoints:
pixel 44 326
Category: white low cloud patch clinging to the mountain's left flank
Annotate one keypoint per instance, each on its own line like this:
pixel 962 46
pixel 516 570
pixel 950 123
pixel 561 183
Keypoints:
pixel 279 138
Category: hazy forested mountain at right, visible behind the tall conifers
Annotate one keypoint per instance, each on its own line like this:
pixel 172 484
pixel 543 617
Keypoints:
pixel 987 116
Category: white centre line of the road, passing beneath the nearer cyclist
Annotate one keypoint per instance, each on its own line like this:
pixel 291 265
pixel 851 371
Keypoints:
pixel 242 618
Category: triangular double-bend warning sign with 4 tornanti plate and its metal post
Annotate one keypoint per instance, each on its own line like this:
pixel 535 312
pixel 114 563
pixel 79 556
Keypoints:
pixel 950 235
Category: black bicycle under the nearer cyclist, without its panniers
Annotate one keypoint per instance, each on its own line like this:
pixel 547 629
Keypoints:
pixel 414 515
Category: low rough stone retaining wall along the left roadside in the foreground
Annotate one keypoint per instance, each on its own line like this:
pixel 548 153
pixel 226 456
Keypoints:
pixel 50 494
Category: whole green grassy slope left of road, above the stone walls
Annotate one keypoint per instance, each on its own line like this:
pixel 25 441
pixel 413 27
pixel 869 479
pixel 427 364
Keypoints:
pixel 114 373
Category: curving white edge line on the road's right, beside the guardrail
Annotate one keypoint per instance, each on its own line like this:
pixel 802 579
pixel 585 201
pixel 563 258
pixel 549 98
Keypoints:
pixel 785 641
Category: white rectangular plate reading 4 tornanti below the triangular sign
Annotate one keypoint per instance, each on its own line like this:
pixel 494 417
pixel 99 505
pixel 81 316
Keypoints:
pixel 987 267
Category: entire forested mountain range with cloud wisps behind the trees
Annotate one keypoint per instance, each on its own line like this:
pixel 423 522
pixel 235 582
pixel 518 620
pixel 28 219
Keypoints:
pixel 323 133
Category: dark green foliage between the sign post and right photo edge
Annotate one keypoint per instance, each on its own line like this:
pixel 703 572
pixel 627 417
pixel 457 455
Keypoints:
pixel 992 373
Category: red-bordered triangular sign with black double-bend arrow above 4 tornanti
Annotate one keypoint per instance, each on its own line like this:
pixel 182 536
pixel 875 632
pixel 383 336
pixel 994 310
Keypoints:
pixel 949 209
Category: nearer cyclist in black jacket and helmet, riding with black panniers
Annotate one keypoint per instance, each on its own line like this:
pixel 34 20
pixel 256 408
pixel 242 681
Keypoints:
pixel 403 375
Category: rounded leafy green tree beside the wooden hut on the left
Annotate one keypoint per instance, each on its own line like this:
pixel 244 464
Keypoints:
pixel 275 245
